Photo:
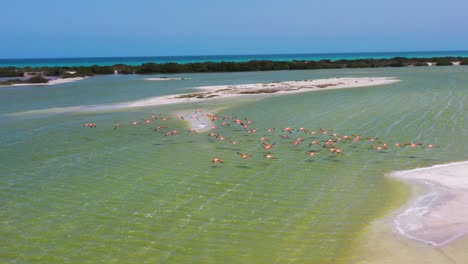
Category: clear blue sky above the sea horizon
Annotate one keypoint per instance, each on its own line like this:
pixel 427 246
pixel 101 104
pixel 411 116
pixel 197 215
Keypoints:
pixel 117 28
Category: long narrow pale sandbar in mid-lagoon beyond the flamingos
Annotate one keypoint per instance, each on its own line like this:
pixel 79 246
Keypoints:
pixel 225 91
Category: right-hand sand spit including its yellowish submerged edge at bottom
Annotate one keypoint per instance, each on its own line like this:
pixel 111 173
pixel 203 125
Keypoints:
pixel 433 225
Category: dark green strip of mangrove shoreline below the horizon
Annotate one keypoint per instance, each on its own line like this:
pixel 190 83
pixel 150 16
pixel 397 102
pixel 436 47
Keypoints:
pixel 231 66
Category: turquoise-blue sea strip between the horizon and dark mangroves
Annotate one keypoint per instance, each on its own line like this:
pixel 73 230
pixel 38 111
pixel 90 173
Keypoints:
pixel 50 62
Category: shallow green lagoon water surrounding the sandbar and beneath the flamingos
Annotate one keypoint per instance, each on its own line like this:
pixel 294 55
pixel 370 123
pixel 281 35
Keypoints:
pixel 71 194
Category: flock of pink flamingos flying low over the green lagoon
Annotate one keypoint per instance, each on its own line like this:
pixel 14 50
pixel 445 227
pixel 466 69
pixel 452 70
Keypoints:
pixel 315 142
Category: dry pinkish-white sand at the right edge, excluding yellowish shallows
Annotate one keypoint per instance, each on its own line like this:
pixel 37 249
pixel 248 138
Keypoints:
pixel 439 213
